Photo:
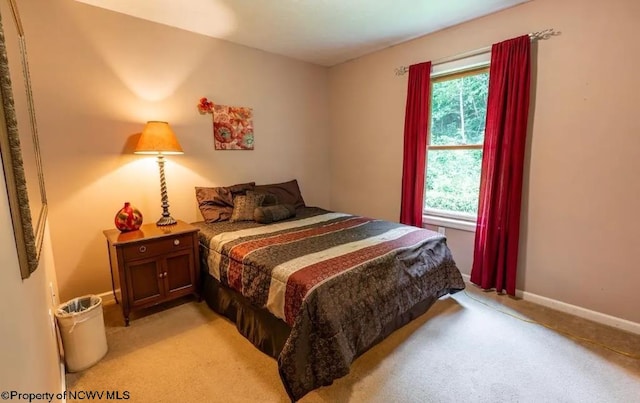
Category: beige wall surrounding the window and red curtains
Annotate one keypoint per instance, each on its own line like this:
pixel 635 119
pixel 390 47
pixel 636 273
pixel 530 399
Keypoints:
pixel 578 235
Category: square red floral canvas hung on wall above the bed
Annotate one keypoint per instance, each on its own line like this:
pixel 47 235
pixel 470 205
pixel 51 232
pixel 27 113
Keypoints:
pixel 232 127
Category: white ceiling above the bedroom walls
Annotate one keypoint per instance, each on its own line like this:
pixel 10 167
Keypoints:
pixel 324 32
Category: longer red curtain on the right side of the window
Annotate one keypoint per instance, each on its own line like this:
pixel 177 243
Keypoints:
pixel 495 256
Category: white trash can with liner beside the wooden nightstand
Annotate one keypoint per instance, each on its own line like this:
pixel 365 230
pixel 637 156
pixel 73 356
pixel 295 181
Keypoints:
pixel 81 325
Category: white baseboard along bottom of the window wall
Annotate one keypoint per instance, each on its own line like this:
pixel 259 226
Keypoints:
pixel 579 311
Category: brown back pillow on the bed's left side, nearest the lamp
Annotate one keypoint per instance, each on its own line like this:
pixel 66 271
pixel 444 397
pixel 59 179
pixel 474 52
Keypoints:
pixel 216 204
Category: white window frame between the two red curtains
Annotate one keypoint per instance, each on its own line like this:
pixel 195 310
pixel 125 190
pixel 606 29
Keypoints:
pixel 447 71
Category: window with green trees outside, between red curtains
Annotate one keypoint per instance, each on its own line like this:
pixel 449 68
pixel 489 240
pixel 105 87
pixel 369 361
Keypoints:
pixel 456 135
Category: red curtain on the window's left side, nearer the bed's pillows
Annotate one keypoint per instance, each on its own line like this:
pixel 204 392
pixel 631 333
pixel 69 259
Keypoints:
pixel 416 125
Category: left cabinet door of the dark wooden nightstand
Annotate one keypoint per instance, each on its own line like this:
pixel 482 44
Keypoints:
pixel 143 282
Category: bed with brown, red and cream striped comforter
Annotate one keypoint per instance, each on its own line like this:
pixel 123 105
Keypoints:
pixel 318 288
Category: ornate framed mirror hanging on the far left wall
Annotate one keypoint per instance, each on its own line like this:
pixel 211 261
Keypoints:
pixel 19 146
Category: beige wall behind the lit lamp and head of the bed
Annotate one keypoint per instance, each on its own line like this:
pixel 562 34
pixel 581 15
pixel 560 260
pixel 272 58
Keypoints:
pixel 99 76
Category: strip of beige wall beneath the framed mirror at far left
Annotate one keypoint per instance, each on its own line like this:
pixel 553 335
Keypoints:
pixel 28 347
